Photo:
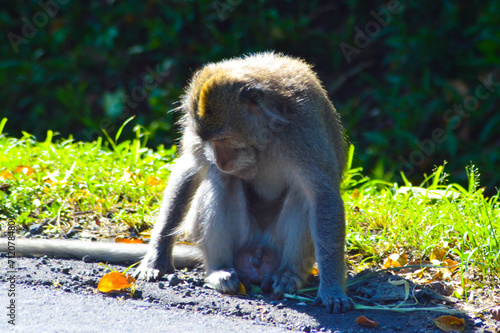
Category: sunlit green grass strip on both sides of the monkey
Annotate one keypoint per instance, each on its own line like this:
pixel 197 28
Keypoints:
pixel 108 188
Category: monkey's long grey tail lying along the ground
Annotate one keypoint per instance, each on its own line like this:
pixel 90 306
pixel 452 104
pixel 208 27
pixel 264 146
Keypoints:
pixel 183 255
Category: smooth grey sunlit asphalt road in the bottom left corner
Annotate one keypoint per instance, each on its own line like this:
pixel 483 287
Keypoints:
pixel 39 309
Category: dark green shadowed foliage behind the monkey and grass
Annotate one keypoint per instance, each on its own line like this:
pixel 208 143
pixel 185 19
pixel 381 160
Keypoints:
pixel 90 65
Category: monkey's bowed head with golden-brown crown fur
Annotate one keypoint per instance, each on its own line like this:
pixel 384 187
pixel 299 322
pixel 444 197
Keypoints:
pixel 227 116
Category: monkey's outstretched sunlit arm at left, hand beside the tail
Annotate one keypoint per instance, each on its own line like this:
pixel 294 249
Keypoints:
pixel 181 185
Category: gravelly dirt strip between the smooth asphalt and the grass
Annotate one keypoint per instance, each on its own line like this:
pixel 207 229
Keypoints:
pixel 186 290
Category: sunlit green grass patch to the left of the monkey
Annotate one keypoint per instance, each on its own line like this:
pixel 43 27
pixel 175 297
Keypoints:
pixel 113 183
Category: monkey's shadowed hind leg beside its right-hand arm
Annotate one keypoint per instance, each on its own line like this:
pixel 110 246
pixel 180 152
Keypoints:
pixel 291 234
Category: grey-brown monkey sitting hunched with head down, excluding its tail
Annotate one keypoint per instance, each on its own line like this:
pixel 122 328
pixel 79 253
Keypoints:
pixel 257 182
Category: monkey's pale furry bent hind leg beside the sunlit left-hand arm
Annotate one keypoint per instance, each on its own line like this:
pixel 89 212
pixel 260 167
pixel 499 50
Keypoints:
pixel 224 226
